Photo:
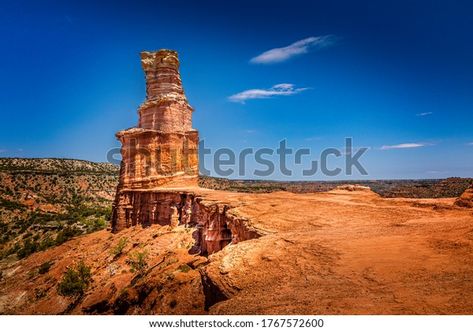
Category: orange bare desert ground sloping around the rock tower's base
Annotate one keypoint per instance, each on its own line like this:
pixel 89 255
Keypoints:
pixel 337 252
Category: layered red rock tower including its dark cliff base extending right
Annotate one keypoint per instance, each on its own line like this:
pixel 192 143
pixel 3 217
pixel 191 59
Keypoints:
pixel 159 168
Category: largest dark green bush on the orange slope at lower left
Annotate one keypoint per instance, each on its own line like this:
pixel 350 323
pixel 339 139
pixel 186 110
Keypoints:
pixel 75 281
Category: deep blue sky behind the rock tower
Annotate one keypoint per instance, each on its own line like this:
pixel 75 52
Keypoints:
pixel 396 76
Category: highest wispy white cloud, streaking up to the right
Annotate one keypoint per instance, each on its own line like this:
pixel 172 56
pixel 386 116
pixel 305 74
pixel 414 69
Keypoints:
pixel 303 46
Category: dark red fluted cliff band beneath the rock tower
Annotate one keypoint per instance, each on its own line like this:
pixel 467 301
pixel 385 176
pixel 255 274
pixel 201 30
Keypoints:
pixel 214 223
